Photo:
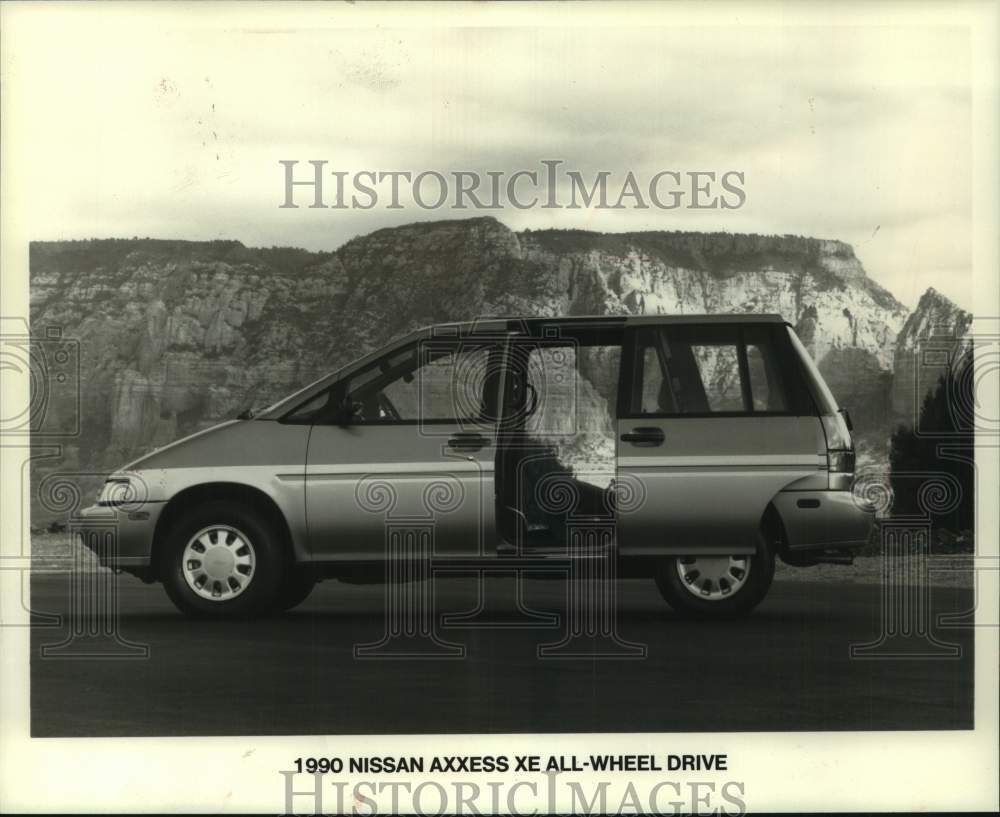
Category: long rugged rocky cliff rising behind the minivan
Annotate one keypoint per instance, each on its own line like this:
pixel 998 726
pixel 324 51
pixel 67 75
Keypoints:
pixel 175 336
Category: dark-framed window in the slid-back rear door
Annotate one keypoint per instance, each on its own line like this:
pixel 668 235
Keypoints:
pixel 715 370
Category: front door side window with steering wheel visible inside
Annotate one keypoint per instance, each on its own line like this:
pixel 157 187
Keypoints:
pixel 429 381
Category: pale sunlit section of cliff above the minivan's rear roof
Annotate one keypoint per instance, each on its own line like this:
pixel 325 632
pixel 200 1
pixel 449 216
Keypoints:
pixel 818 285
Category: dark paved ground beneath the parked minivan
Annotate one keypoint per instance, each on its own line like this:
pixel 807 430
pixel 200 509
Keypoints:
pixel 786 668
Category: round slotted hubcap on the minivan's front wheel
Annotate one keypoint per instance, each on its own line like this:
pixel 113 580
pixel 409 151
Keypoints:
pixel 219 563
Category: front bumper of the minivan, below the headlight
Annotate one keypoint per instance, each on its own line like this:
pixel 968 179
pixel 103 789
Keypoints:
pixel 121 538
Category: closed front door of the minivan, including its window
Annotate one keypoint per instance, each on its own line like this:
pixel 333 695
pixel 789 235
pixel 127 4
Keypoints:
pixel 410 441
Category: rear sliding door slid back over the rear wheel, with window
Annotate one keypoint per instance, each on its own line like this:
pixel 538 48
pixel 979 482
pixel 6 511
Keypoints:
pixel 714 420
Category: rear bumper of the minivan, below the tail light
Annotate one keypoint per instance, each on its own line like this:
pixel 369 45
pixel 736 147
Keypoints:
pixel 821 520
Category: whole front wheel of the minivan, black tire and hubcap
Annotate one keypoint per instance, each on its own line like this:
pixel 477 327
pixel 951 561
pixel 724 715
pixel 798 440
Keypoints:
pixel 243 569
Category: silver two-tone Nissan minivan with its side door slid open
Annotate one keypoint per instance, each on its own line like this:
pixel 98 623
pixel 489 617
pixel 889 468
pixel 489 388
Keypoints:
pixel 693 450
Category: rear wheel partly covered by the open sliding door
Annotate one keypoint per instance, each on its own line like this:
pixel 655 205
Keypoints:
pixel 703 593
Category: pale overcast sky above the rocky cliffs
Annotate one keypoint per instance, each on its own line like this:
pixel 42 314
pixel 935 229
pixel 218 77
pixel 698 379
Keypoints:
pixel 165 129
